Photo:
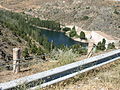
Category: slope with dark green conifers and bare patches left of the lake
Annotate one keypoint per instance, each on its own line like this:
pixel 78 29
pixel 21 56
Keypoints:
pixel 16 30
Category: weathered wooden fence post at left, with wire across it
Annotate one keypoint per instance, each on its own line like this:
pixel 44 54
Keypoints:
pixel 16 59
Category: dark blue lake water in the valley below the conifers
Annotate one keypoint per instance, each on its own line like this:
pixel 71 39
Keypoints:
pixel 60 38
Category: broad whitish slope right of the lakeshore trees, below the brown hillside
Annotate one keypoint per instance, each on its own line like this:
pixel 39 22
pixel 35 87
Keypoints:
pixel 97 36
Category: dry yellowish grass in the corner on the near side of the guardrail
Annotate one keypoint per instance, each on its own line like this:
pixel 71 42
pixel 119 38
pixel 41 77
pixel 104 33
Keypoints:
pixel 106 77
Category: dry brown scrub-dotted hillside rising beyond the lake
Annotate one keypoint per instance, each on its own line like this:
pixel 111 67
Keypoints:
pixel 101 15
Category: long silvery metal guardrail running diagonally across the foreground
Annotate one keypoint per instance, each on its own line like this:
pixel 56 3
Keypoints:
pixel 52 76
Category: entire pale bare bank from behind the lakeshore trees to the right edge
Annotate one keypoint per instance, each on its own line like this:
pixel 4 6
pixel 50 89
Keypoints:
pixel 96 36
